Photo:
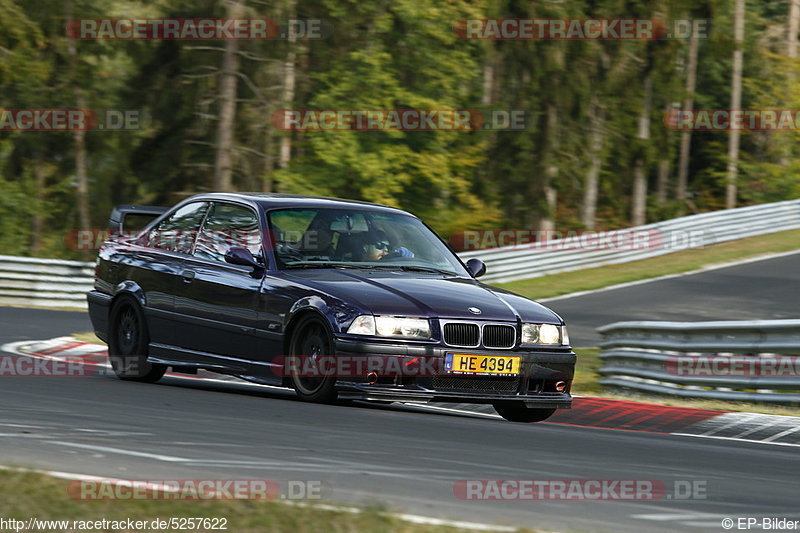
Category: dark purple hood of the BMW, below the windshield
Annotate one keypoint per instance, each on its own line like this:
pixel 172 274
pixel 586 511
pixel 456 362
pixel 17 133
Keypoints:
pixel 415 294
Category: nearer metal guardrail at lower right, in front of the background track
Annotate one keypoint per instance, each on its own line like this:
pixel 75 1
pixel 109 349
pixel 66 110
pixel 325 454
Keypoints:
pixel 728 360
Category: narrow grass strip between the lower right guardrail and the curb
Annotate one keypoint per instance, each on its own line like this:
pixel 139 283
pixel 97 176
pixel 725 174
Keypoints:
pixel 587 384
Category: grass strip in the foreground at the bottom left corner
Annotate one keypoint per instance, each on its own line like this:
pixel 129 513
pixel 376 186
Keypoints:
pixel 24 495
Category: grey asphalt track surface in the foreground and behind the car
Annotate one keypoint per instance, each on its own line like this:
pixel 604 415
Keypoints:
pixel 399 457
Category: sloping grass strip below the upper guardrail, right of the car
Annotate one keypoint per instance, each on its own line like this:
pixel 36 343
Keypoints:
pixel 685 261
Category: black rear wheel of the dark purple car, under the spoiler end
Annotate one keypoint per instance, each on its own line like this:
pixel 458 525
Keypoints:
pixel 128 342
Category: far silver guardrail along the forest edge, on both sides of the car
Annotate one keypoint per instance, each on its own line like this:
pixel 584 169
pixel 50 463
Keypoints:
pixel 57 283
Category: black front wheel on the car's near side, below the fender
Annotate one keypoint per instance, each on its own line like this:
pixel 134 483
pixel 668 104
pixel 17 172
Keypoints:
pixel 312 338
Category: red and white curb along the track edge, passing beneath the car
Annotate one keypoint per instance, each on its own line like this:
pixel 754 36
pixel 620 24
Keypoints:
pixel 586 411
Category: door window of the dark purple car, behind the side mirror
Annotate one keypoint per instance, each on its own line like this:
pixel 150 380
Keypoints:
pixel 228 226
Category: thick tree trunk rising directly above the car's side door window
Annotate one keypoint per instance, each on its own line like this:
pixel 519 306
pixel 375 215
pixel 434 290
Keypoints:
pixel 223 163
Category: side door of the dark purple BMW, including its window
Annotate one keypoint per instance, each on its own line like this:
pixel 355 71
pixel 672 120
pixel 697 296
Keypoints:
pixel 215 300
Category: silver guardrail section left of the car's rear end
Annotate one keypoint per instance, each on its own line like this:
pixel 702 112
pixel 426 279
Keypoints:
pixel 44 282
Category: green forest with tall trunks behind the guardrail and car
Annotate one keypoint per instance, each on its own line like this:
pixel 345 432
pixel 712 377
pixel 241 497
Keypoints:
pixel 575 132
